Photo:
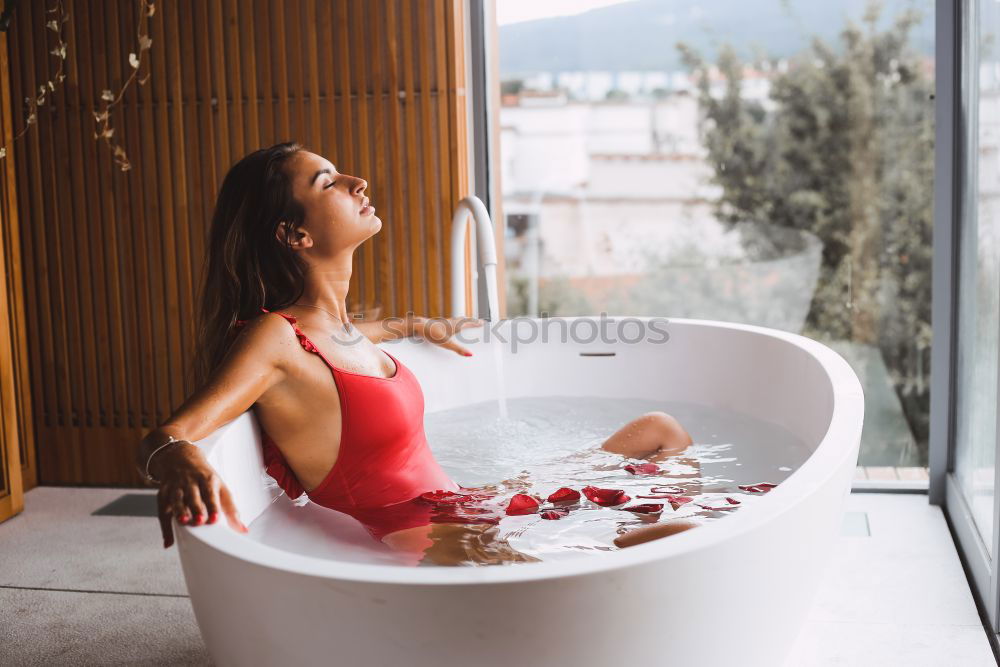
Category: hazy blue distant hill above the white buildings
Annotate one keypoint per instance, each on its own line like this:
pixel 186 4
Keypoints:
pixel 642 35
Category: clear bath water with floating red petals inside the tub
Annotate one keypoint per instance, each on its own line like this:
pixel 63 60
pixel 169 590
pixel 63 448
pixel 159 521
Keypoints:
pixel 551 442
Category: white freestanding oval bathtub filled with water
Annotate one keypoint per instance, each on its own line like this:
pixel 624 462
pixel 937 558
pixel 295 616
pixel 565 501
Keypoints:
pixel 732 592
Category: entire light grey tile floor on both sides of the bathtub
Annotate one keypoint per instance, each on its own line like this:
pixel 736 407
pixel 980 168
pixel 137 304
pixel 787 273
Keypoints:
pixel 79 589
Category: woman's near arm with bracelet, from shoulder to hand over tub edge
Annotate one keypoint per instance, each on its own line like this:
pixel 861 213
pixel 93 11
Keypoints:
pixel 188 484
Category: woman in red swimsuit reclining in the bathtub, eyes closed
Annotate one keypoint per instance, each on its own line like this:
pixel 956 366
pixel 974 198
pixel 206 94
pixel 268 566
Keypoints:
pixel 273 329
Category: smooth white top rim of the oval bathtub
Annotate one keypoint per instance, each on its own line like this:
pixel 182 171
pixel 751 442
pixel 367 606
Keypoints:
pixel 822 465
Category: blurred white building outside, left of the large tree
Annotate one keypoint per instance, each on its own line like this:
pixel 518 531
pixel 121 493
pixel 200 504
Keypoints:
pixel 612 186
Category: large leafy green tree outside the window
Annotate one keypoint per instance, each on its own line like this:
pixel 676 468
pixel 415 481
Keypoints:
pixel 844 149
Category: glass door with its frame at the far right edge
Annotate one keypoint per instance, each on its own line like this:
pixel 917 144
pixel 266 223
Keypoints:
pixel 972 484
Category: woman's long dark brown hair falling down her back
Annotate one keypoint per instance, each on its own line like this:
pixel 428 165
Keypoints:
pixel 247 265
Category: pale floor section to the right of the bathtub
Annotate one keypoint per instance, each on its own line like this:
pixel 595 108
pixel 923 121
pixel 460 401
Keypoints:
pixel 896 597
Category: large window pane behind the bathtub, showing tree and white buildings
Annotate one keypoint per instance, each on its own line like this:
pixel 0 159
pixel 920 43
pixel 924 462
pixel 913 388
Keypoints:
pixel 767 162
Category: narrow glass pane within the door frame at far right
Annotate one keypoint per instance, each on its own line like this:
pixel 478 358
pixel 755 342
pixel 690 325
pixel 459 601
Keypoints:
pixel 979 287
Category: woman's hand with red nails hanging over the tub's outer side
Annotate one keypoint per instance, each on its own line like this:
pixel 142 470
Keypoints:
pixel 191 491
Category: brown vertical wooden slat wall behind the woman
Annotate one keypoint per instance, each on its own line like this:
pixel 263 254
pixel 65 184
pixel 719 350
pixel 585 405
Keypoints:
pixel 112 258
